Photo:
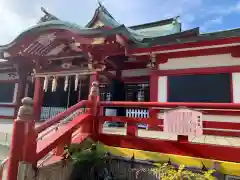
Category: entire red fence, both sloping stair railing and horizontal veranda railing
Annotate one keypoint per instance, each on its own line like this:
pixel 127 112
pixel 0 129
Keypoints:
pixel 91 124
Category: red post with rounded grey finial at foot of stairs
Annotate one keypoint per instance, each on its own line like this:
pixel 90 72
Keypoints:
pixel 19 138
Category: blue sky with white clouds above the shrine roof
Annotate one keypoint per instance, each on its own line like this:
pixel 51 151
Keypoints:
pixel 209 15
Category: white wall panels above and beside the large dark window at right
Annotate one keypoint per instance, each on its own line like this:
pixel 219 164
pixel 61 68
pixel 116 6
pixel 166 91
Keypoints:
pixel 200 62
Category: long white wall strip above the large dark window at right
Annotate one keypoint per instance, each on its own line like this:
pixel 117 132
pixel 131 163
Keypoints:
pixel 200 62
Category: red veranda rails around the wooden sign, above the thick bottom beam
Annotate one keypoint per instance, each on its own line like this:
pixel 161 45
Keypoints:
pixel 220 128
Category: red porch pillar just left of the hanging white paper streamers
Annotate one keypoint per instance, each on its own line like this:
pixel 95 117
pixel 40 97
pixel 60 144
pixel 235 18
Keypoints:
pixel 38 98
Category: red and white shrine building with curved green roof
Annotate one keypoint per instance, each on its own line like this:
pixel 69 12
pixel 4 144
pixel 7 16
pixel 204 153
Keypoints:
pixel 55 62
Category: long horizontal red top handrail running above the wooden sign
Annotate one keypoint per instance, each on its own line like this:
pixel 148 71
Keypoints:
pixel 170 105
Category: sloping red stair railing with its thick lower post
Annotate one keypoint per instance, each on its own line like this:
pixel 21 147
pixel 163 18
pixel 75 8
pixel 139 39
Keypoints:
pixel 24 146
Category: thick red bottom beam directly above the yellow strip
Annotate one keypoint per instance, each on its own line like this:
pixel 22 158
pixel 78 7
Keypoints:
pixel 224 153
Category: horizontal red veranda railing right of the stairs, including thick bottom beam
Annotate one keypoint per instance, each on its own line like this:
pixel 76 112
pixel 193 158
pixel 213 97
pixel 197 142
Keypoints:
pixel 182 146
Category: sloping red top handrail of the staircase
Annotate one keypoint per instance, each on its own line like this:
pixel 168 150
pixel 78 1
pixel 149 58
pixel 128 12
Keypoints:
pixel 60 116
